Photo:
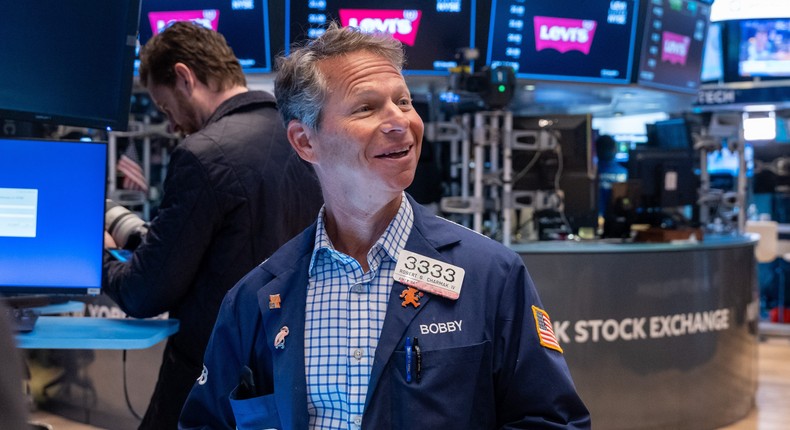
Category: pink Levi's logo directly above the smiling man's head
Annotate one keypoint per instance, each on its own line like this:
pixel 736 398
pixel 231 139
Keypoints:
pixel 401 24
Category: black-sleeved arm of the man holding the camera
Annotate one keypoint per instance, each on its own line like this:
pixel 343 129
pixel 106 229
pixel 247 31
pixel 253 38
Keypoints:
pixel 166 262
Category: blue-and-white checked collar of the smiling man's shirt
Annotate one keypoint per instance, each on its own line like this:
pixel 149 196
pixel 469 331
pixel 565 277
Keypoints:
pixel 392 241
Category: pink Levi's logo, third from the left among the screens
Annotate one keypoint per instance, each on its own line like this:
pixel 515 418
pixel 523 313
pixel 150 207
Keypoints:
pixel 564 34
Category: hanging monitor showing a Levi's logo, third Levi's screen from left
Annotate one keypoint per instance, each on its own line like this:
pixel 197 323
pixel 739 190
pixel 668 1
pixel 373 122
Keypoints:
pixel 571 40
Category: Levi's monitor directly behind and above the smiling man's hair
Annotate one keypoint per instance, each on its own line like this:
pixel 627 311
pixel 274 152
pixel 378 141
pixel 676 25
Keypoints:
pixel 432 32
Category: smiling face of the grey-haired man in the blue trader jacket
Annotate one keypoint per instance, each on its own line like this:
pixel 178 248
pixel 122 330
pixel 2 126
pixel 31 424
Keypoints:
pixel 370 136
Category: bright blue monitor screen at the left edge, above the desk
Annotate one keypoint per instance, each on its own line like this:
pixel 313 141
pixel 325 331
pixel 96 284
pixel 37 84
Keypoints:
pixel 52 196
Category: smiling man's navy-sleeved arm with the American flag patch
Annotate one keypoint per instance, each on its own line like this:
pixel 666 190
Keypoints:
pixel 534 385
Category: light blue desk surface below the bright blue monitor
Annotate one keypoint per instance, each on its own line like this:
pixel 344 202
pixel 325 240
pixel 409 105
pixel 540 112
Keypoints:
pixel 96 333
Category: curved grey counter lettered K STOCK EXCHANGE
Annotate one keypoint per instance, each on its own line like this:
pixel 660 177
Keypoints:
pixel 655 335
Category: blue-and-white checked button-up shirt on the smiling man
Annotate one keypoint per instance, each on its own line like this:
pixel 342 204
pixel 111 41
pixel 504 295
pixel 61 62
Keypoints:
pixel 344 314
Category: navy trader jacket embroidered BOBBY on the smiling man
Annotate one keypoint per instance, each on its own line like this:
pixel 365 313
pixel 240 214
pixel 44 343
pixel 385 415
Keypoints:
pixel 483 365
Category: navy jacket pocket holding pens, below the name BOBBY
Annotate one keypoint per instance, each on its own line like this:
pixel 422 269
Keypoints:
pixel 452 389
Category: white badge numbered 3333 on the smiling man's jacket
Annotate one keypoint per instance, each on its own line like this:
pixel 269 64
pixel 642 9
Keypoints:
pixel 429 275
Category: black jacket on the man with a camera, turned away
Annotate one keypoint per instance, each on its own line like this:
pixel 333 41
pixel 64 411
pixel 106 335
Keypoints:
pixel 235 191
